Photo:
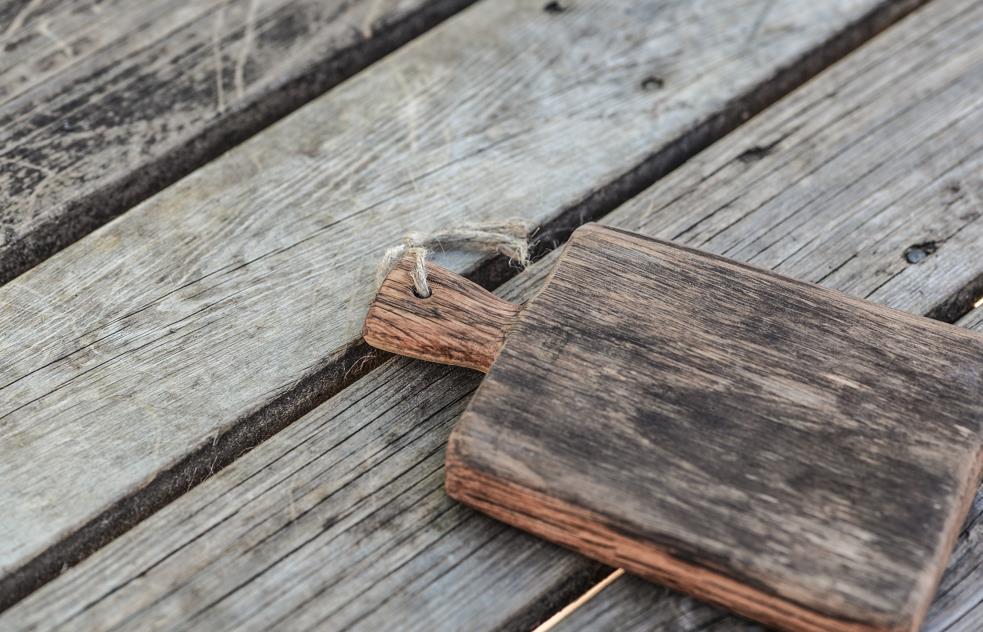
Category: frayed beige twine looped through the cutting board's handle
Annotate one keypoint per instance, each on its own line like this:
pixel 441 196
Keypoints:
pixel 508 238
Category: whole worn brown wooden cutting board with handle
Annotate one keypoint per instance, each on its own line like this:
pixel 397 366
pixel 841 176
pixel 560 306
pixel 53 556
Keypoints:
pixel 799 456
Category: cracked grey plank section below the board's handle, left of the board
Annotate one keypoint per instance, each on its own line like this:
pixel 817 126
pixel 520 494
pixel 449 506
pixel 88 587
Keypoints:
pixel 336 516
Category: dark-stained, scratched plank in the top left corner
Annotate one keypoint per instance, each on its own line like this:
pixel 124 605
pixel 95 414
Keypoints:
pixel 104 103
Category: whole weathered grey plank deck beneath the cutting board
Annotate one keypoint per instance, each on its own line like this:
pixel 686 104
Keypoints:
pixel 192 433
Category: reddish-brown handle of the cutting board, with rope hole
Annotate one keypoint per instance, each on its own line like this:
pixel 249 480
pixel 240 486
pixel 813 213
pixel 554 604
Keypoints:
pixel 460 323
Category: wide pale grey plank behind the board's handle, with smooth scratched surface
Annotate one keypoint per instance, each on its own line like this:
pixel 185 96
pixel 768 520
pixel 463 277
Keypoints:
pixel 163 345
